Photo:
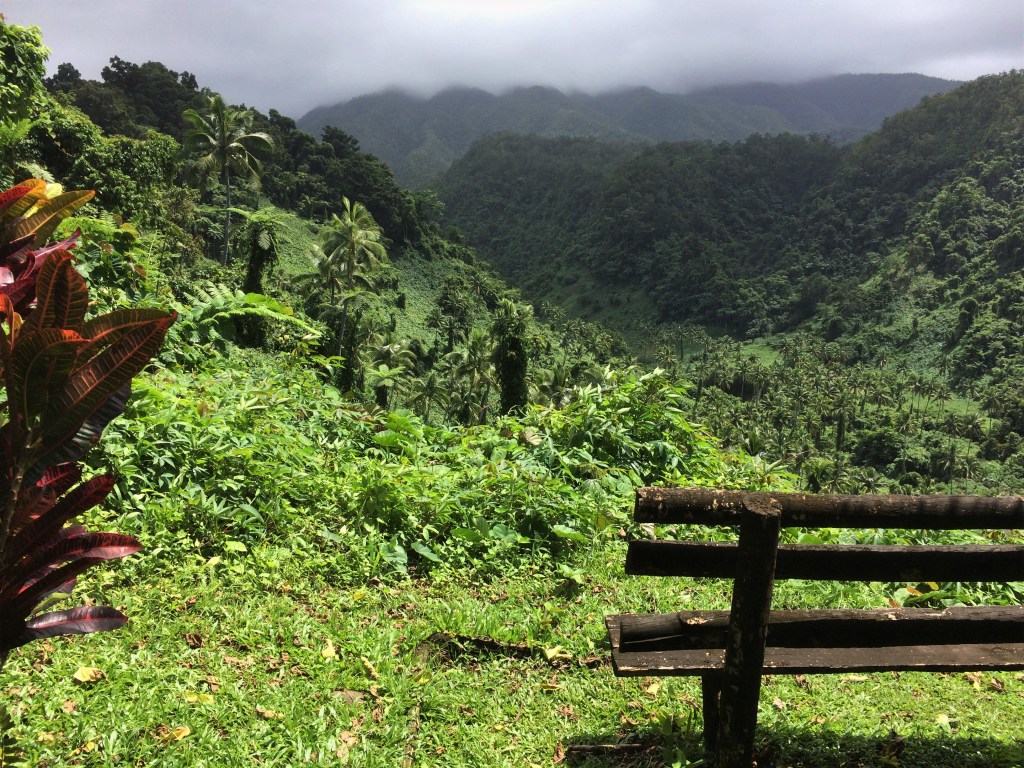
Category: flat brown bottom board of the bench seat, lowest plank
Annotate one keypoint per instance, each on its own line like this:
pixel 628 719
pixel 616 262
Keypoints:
pixel 959 658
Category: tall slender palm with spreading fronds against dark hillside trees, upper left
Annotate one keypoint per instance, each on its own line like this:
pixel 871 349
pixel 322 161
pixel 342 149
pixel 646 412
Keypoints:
pixel 219 144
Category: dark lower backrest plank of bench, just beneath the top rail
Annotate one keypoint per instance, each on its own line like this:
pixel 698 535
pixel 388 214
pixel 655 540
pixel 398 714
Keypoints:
pixel 838 563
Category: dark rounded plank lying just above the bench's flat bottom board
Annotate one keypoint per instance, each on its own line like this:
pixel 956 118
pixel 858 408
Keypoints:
pixel 823 629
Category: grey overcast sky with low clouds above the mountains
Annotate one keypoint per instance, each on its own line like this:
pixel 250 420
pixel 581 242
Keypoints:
pixel 303 54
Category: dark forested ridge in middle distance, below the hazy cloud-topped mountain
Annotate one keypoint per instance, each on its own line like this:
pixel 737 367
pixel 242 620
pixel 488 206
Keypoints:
pixel 752 236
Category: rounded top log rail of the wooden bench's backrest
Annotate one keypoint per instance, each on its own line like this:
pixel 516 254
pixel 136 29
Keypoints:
pixel 711 507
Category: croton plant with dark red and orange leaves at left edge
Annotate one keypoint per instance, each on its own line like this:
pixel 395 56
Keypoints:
pixel 64 379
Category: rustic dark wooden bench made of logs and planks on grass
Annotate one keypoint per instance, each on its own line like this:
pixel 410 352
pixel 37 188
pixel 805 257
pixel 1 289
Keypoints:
pixel 732 650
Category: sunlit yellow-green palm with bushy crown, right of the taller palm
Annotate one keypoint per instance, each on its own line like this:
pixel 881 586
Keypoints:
pixel 351 249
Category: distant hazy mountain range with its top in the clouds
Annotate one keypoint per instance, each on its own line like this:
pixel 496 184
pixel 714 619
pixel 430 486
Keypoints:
pixel 420 138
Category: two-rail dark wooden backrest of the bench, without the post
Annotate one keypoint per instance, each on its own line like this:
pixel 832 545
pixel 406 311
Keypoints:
pixel 834 563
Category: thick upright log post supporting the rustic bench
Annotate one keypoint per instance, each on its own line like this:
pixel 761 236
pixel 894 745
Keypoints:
pixel 745 654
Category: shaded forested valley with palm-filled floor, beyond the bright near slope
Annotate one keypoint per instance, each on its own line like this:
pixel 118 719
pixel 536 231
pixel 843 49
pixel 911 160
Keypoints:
pixel 879 276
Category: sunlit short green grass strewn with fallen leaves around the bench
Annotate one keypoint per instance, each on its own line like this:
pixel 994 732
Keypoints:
pixel 228 665
